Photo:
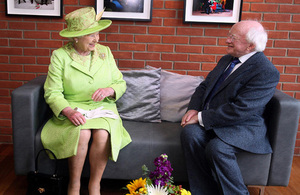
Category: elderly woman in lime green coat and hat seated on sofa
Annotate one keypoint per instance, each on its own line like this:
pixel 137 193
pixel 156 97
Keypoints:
pixel 81 88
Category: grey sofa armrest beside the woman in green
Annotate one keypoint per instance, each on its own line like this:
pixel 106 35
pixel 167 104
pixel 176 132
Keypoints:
pixel 29 112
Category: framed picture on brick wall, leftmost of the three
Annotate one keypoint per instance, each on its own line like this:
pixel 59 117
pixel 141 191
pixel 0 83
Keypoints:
pixel 51 8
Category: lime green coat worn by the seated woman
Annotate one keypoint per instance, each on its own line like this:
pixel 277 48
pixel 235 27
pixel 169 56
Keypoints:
pixel 71 83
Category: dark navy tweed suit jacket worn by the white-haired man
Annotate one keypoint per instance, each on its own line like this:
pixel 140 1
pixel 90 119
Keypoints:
pixel 235 111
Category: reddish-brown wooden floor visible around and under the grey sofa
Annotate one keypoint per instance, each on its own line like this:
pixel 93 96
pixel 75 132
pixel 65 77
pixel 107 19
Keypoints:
pixel 11 184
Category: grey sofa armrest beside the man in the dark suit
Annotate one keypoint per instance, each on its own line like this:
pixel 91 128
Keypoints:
pixel 282 121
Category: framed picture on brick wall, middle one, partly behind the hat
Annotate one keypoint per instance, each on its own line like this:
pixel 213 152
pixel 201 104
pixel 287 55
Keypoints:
pixel 138 10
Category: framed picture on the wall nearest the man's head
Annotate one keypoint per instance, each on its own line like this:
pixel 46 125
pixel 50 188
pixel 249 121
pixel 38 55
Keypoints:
pixel 213 11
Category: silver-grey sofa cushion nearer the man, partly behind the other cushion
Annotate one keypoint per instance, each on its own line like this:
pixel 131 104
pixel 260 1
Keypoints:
pixel 175 93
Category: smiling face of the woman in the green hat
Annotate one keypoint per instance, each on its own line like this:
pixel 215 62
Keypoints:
pixel 86 43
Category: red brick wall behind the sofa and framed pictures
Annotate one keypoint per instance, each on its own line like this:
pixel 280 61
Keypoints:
pixel 26 44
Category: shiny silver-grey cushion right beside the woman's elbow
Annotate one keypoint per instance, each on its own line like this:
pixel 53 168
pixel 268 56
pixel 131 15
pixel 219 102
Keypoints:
pixel 141 101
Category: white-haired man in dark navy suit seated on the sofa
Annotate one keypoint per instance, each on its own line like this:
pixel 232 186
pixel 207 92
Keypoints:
pixel 224 116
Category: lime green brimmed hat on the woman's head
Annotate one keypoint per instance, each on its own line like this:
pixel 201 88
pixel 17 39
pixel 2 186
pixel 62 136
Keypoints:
pixel 84 21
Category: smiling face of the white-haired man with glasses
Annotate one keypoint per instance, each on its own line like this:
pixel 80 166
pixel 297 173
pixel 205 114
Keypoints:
pixel 237 44
